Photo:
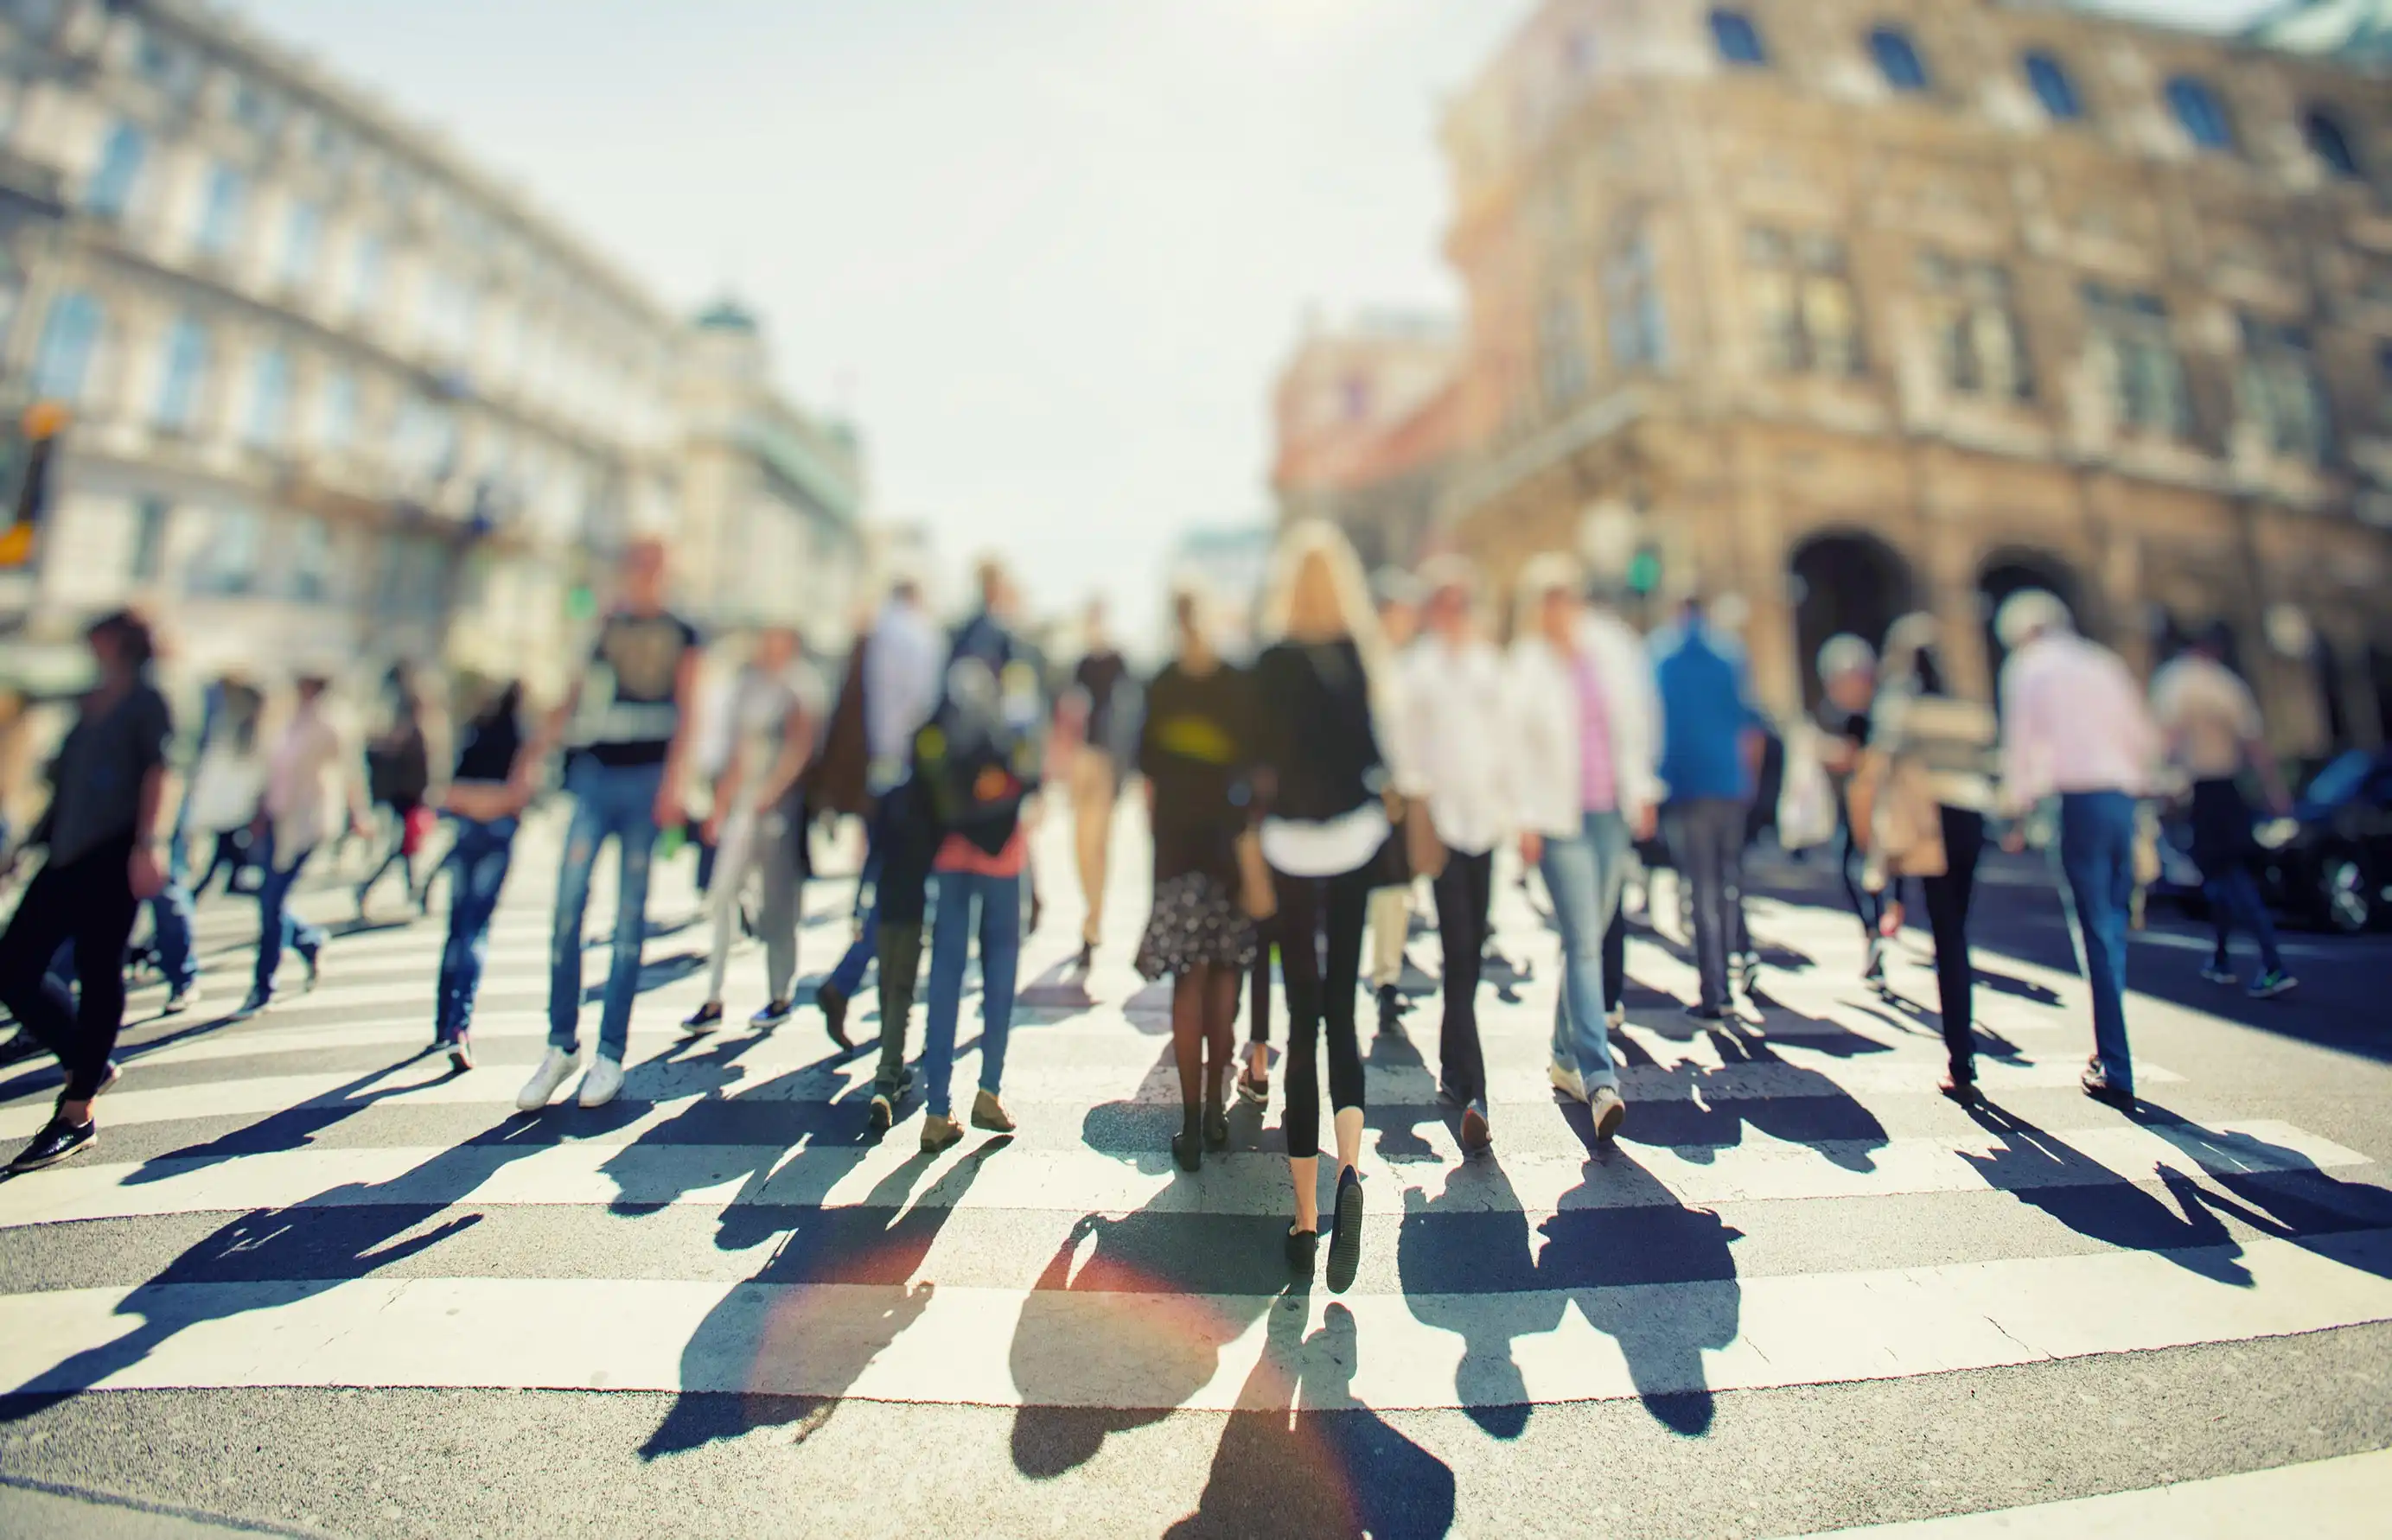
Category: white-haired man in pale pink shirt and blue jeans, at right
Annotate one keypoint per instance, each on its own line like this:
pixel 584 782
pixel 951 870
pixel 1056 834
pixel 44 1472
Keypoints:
pixel 2075 728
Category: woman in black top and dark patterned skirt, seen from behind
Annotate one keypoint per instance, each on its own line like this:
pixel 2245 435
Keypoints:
pixel 1192 752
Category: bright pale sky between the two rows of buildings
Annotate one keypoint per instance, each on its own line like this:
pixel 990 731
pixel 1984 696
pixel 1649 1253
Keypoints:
pixel 1044 252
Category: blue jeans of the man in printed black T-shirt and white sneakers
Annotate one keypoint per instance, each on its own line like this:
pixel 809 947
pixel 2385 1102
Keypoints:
pixel 609 802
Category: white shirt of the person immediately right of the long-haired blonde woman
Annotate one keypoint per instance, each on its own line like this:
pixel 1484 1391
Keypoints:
pixel 1451 740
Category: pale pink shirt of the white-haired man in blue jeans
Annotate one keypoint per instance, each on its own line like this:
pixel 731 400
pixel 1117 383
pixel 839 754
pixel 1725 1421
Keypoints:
pixel 2073 721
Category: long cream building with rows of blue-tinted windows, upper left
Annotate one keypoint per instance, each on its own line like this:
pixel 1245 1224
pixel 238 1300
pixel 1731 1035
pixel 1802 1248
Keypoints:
pixel 336 398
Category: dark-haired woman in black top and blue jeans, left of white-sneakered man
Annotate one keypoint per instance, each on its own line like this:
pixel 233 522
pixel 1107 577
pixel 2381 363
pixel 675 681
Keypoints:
pixel 487 807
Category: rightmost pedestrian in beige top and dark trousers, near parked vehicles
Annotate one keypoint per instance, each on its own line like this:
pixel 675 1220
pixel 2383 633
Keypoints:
pixel 2214 731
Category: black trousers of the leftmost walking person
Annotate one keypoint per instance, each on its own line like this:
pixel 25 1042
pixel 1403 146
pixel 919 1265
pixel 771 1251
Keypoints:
pixel 92 905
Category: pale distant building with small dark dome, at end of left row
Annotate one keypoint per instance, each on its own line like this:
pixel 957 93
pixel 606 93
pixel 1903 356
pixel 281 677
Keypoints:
pixel 771 499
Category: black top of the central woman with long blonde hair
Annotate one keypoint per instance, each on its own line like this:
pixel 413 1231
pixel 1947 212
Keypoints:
pixel 1314 731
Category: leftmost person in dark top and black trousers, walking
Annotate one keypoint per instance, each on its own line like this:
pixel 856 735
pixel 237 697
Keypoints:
pixel 104 862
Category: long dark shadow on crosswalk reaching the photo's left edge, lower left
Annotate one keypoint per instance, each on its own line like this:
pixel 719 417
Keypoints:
pixel 283 1257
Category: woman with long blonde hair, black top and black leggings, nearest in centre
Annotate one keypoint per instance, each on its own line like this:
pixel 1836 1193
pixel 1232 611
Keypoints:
pixel 1322 788
